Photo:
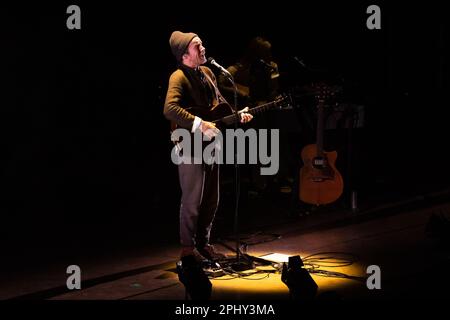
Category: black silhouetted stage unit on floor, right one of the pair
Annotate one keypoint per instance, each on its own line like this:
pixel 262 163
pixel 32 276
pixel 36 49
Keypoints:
pixel 301 285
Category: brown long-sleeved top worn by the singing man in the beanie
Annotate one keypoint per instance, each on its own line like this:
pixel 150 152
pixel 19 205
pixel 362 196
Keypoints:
pixel 185 90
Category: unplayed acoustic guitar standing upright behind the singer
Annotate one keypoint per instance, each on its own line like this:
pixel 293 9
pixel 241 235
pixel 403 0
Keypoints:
pixel 320 181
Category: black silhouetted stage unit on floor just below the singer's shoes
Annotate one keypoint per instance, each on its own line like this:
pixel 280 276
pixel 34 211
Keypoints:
pixel 194 279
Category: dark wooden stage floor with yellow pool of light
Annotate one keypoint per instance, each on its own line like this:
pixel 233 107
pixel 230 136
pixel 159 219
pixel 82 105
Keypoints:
pixel 391 237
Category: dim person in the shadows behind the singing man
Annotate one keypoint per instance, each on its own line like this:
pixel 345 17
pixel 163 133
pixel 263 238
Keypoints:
pixel 257 78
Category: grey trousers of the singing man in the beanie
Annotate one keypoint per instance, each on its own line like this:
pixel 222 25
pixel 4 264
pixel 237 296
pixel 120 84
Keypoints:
pixel 199 202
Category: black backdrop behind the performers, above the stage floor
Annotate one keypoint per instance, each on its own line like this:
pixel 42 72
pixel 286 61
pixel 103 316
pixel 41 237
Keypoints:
pixel 86 151
